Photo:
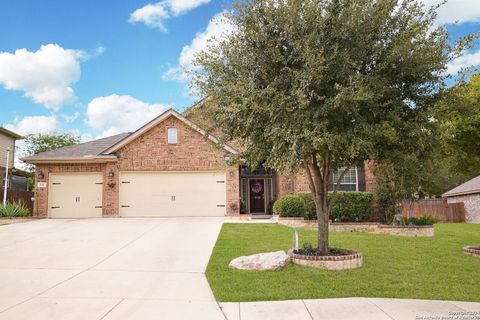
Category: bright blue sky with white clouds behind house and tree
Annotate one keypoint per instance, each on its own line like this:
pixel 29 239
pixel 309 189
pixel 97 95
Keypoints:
pixel 97 68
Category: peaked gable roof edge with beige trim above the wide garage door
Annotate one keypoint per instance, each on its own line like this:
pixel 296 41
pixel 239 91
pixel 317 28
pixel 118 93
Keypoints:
pixel 157 120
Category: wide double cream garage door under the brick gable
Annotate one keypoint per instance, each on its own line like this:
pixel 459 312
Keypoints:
pixel 172 194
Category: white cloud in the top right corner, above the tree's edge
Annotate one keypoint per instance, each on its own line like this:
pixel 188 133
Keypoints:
pixel 453 11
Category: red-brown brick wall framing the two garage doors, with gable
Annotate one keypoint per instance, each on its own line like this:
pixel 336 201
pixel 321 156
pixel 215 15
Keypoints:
pixel 151 152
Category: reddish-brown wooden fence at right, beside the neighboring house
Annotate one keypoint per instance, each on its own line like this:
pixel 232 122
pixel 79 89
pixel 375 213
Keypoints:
pixel 438 208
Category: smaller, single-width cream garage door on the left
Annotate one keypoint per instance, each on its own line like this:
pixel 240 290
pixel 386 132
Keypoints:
pixel 75 195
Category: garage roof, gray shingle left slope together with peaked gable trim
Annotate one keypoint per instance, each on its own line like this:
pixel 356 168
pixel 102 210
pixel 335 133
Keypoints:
pixel 103 149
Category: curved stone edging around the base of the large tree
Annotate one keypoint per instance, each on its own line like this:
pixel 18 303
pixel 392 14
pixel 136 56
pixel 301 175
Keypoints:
pixel 350 261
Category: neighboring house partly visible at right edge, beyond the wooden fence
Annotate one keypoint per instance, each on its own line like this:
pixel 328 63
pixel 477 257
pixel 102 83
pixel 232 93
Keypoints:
pixel 469 194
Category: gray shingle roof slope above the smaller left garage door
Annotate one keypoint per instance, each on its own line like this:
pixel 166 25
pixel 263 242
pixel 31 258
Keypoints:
pixel 91 148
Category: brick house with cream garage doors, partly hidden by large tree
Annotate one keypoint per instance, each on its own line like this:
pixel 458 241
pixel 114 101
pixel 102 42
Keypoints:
pixel 168 167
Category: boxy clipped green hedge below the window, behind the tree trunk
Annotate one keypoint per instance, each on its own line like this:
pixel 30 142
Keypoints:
pixel 348 206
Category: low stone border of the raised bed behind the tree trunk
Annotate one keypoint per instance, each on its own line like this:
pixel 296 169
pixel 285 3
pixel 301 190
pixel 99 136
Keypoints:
pixel 368 227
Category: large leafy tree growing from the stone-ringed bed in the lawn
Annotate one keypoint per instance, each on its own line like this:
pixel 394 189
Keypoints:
pixel 324 84
